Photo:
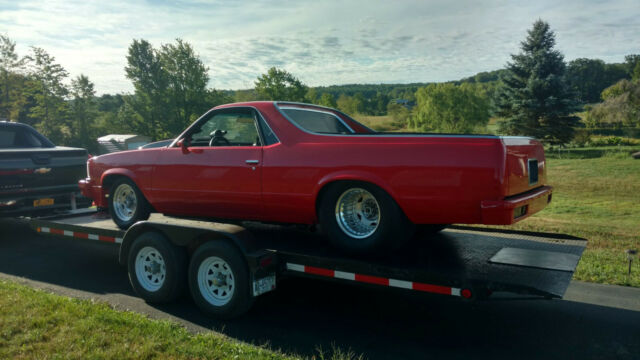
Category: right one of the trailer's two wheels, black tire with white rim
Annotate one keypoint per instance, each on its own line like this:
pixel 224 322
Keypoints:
pixel 219 280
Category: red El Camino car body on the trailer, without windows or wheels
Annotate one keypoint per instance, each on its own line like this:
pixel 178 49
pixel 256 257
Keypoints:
pixel 434 178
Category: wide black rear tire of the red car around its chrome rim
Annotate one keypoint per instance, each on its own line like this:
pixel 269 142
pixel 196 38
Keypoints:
pixel 393 230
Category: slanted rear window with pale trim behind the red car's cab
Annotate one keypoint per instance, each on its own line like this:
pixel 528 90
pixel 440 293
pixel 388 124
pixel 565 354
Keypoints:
pixel 317 121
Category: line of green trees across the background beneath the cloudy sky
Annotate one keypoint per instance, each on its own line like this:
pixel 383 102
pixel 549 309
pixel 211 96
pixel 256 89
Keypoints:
pixel 537 94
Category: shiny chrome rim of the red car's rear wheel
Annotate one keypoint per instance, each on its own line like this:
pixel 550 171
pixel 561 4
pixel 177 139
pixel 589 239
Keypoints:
pixel 357 213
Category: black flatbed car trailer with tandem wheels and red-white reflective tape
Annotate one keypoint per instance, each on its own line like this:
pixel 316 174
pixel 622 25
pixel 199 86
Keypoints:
pixel 227 266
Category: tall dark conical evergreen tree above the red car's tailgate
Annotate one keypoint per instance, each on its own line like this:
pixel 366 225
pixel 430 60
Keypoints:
pixel 535 99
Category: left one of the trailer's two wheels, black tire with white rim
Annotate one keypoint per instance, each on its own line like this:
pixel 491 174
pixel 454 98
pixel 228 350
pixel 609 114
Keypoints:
pixel 172 284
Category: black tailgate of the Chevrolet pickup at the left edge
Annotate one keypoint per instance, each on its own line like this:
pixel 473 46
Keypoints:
pixel 26 171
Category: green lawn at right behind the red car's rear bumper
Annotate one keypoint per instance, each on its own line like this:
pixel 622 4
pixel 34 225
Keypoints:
pixel 597 198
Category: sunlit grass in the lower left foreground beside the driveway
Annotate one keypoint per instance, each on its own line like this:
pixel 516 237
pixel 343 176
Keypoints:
pixel 38 325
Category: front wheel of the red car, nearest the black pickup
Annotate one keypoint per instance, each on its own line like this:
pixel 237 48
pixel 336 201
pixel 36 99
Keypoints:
pixel 127 205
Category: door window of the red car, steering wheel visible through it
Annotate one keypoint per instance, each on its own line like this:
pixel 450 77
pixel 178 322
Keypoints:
pixel 235 127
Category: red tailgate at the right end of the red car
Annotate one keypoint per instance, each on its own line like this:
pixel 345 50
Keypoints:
pixel 525 167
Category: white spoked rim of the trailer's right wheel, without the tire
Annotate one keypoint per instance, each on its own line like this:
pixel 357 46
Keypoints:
pixel 216 281
